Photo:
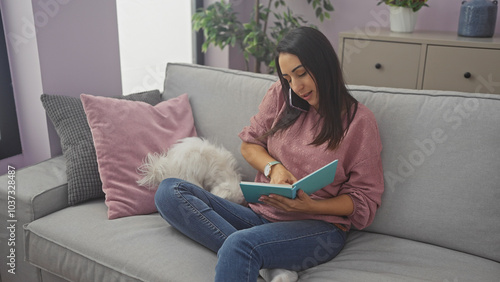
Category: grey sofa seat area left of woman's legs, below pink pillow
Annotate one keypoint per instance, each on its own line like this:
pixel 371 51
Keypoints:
pixel 80 244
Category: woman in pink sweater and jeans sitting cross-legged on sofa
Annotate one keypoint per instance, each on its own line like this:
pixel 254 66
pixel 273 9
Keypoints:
pixel 286 142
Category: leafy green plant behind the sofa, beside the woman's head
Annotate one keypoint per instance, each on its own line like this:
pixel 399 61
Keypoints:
pixel 256 38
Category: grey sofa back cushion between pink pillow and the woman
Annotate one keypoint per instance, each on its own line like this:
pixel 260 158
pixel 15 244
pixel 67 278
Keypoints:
pixel 223 101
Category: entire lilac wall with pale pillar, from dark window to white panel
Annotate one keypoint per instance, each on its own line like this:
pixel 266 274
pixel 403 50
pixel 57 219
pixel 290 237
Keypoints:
pixel 65 47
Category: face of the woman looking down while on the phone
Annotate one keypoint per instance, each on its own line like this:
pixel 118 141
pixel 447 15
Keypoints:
pixel 299 79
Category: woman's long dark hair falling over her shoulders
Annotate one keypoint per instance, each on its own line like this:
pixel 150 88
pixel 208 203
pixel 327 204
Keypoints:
pixel 318 57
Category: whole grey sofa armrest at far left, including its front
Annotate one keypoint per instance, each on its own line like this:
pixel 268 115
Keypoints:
pixel 40 190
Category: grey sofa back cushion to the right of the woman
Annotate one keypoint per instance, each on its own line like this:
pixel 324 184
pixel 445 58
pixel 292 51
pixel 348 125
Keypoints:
pixel 441 165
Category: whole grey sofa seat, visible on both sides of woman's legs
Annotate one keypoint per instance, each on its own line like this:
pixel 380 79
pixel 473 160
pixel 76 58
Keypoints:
pixel 146 248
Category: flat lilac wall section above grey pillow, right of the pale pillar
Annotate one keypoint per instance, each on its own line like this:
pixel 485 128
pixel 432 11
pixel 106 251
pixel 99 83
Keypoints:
pixel 79 52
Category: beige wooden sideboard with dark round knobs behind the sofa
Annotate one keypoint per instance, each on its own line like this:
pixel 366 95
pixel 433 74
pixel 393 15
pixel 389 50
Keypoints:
pixel 421 60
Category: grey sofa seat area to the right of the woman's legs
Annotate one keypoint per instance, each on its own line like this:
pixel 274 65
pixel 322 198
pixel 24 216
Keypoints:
pixel 377 257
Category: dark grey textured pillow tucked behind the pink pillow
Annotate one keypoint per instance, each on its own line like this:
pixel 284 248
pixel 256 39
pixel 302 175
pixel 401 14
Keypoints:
pixel 70 122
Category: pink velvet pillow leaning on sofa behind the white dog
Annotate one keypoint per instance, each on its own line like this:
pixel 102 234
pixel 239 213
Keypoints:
pixel 124 132
